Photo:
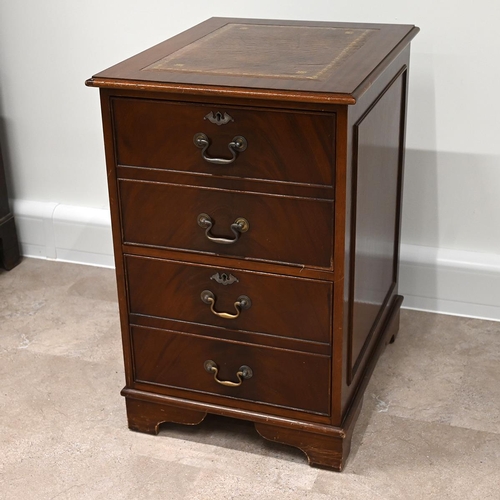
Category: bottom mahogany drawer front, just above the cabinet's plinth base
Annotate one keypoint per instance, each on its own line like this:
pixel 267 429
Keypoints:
pixel 278 377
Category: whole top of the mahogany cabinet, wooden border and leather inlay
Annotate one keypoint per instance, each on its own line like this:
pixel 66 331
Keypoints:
pixel 291 56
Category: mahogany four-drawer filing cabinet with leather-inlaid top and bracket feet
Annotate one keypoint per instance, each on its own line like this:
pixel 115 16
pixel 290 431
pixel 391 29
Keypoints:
pixel 255 174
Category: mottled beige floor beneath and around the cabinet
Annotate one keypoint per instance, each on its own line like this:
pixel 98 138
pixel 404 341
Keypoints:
pixel 429 427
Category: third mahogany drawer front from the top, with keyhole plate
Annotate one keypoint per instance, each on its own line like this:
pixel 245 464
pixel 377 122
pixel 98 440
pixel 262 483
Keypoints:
pixel 280 306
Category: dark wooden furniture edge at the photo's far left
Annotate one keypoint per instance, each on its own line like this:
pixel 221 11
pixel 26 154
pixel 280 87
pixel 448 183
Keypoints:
pixel 9 246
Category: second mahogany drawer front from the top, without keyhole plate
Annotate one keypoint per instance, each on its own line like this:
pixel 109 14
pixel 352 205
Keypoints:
pixel 281 229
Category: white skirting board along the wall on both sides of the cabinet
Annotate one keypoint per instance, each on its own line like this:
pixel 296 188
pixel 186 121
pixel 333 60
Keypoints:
pixel 431 279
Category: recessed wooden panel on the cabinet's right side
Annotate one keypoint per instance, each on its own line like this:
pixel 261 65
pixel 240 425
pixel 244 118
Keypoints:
pixel 377 171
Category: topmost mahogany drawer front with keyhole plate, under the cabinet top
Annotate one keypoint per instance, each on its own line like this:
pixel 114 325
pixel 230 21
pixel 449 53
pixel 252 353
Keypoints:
pixel 281 146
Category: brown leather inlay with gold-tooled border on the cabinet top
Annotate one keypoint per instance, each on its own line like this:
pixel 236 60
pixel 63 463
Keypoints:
pixel 245 47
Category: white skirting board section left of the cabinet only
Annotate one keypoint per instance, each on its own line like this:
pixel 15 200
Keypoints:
pixel 65 233
